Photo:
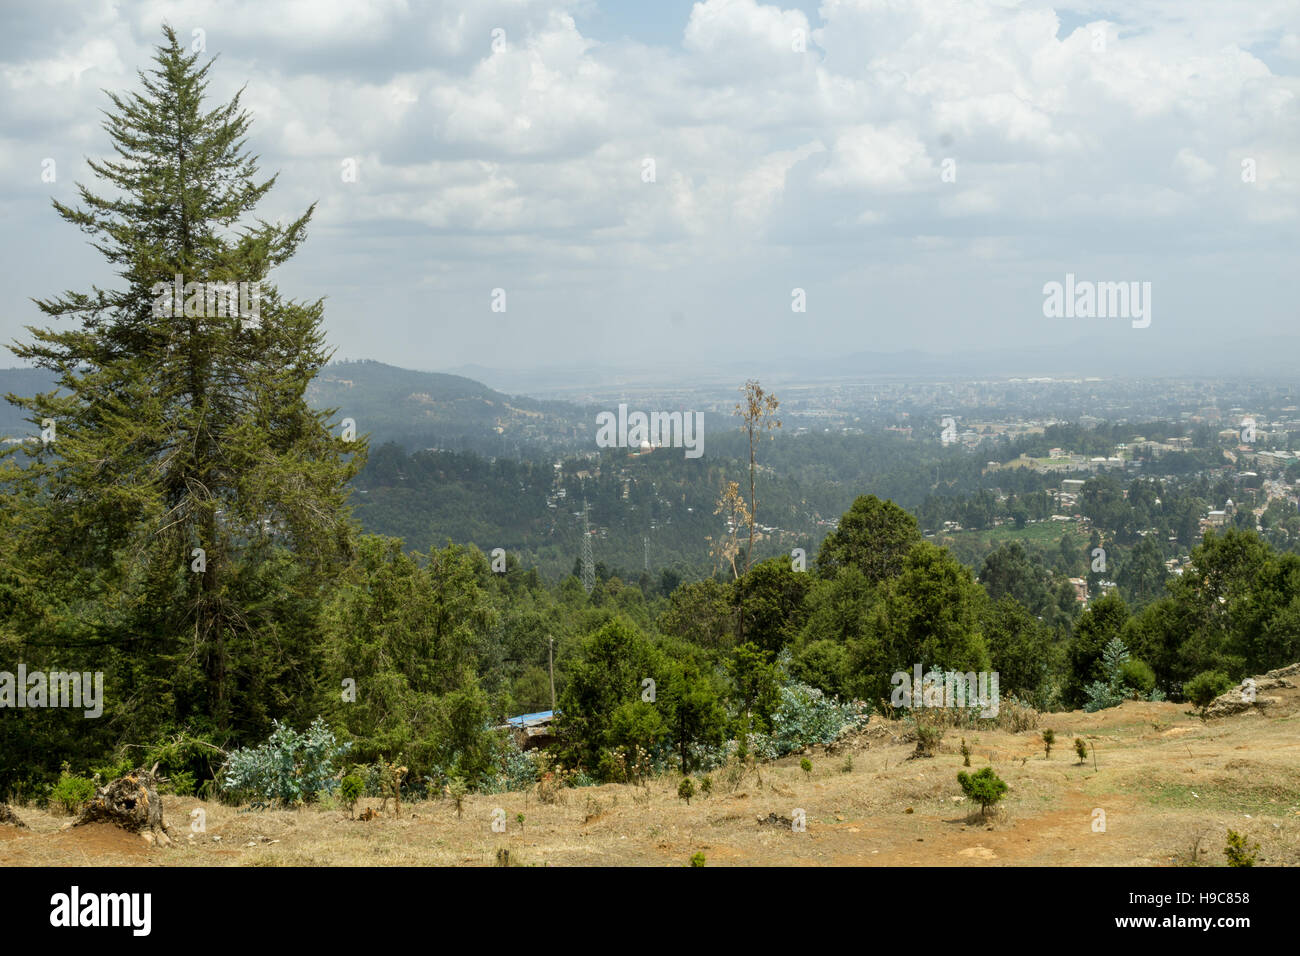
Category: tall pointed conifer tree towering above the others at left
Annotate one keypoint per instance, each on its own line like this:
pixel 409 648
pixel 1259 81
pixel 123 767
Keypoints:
pixel 180 434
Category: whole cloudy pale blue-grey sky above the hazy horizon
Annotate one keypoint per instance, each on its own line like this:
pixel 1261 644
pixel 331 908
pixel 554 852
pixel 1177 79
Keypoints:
pixel 652 181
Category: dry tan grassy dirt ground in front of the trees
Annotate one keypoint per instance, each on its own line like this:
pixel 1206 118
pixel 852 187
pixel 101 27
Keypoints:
pixel 1165 790
